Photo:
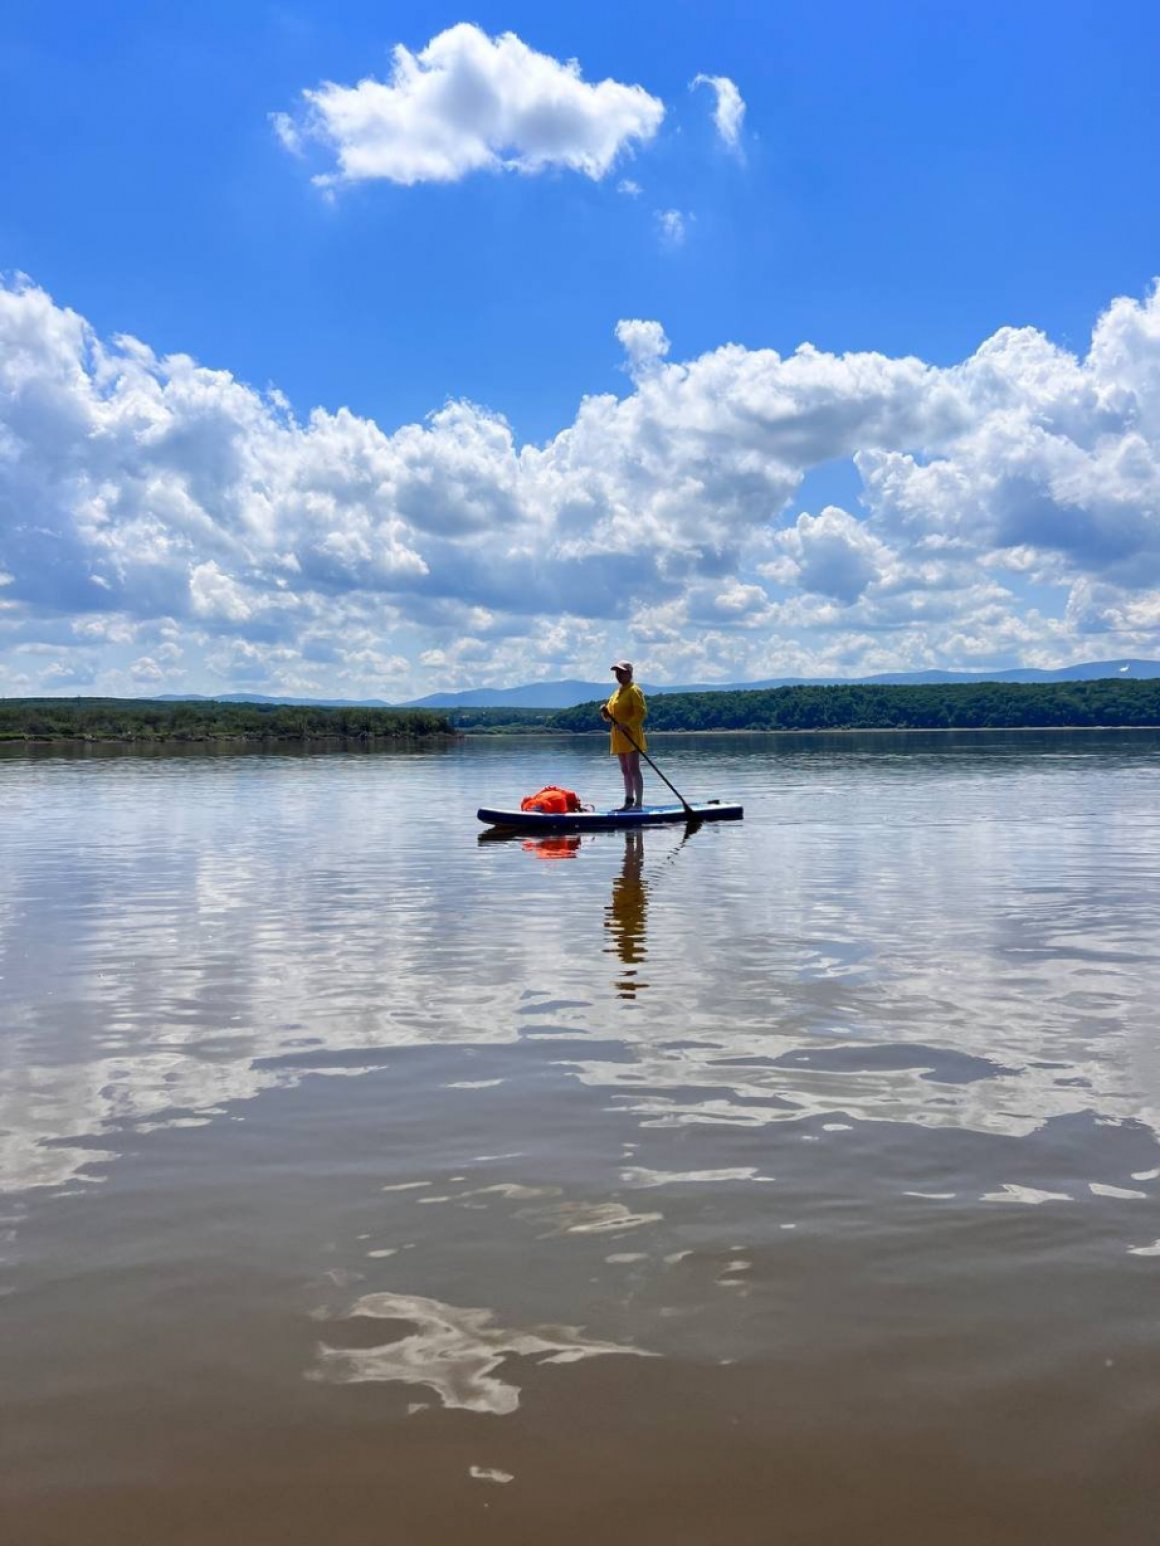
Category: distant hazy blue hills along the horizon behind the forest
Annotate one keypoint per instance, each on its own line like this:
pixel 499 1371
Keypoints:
pixel 570 693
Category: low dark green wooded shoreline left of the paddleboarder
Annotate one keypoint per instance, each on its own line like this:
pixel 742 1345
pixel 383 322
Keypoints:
pixel 121 720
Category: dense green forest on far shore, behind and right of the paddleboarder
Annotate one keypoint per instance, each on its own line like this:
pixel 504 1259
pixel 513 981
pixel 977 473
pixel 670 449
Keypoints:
pixel 957 706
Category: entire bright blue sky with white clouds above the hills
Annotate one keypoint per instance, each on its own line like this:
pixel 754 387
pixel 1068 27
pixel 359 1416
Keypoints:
pixel 907 183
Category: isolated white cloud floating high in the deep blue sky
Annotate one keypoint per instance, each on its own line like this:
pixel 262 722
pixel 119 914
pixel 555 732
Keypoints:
pixel 469 103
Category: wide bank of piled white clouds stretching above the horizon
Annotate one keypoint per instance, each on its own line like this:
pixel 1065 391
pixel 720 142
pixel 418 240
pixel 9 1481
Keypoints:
pixel 168 528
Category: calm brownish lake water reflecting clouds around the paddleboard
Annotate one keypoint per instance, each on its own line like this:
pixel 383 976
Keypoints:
pixel 794 1182
